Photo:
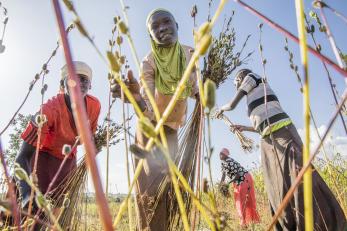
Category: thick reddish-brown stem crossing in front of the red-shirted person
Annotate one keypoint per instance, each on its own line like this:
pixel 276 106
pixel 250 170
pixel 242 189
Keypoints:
pixel 82 125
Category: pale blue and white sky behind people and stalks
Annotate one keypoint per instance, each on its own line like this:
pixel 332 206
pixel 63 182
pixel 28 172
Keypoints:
pixel 32 33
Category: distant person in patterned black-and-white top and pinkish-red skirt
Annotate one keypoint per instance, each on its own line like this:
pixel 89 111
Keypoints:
pixel 242 182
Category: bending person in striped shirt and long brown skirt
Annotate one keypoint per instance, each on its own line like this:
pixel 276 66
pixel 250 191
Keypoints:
pixel 281 157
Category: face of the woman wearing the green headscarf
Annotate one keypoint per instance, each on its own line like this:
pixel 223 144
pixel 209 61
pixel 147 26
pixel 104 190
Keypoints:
pixel 163 28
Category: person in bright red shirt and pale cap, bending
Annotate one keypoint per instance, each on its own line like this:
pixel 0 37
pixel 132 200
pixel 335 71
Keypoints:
pixel 58 130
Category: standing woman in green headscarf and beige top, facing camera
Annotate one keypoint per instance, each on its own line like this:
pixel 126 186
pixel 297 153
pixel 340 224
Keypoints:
pixel 162 70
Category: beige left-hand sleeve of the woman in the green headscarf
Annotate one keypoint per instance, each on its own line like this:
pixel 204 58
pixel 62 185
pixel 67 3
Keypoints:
pixel 148 70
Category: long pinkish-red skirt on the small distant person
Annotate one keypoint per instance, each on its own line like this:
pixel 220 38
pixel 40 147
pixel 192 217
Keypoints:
pixel 245 202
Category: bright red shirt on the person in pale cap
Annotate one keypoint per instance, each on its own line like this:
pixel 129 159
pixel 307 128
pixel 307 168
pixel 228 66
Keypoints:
pixel 60 128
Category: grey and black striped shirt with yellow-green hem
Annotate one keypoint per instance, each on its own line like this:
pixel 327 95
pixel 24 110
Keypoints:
pixel 253 86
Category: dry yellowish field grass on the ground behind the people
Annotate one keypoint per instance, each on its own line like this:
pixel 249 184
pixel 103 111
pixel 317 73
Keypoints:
pixel 225 205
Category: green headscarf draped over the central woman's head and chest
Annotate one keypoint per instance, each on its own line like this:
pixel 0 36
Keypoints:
pixel 170 64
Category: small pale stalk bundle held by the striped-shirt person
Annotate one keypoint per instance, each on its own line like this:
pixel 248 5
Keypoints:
pixel 246 143
